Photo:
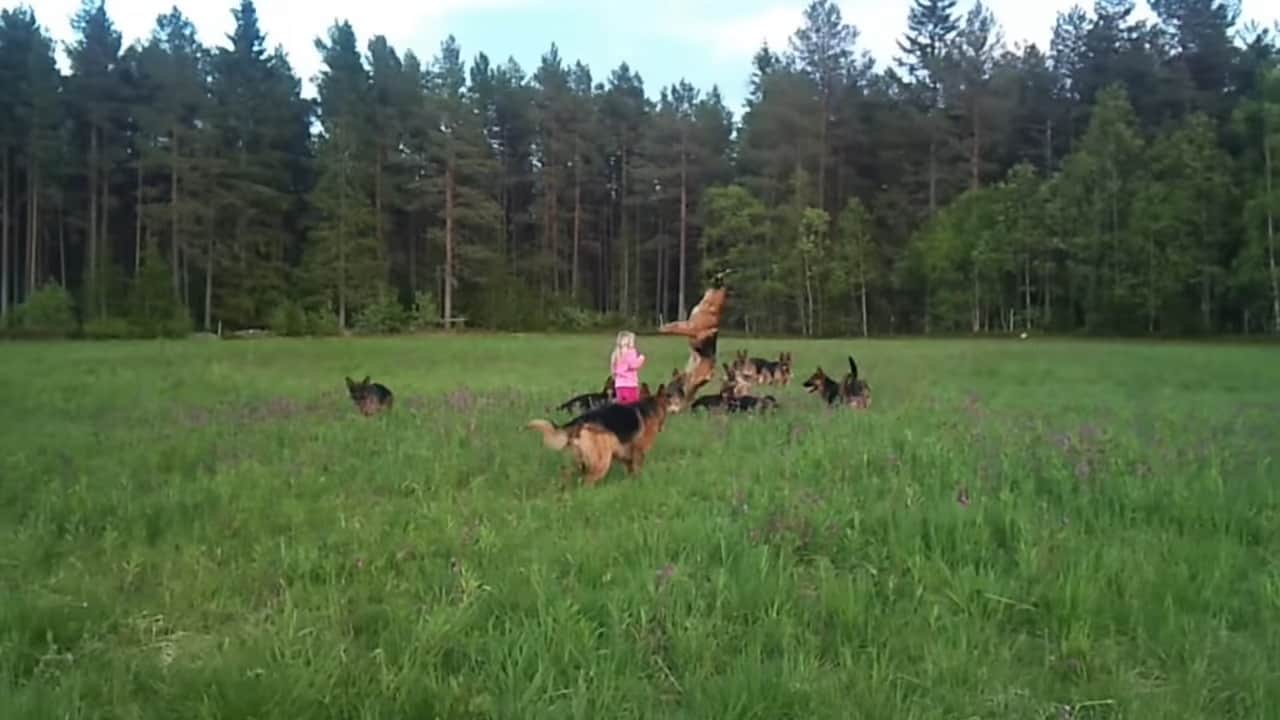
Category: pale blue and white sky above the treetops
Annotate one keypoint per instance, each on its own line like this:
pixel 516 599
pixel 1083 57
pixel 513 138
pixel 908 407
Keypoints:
pixel 705 42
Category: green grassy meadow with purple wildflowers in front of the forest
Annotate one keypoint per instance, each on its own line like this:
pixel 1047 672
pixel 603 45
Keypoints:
pixel 1016 530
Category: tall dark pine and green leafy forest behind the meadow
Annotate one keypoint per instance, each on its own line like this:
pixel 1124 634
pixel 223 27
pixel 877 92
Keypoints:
pixel 1121 183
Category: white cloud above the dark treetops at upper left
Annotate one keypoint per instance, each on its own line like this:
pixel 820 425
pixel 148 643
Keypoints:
pixel 294 25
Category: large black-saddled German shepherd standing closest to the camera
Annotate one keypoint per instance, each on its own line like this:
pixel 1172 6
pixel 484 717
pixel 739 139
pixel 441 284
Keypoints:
pixel 611 432
